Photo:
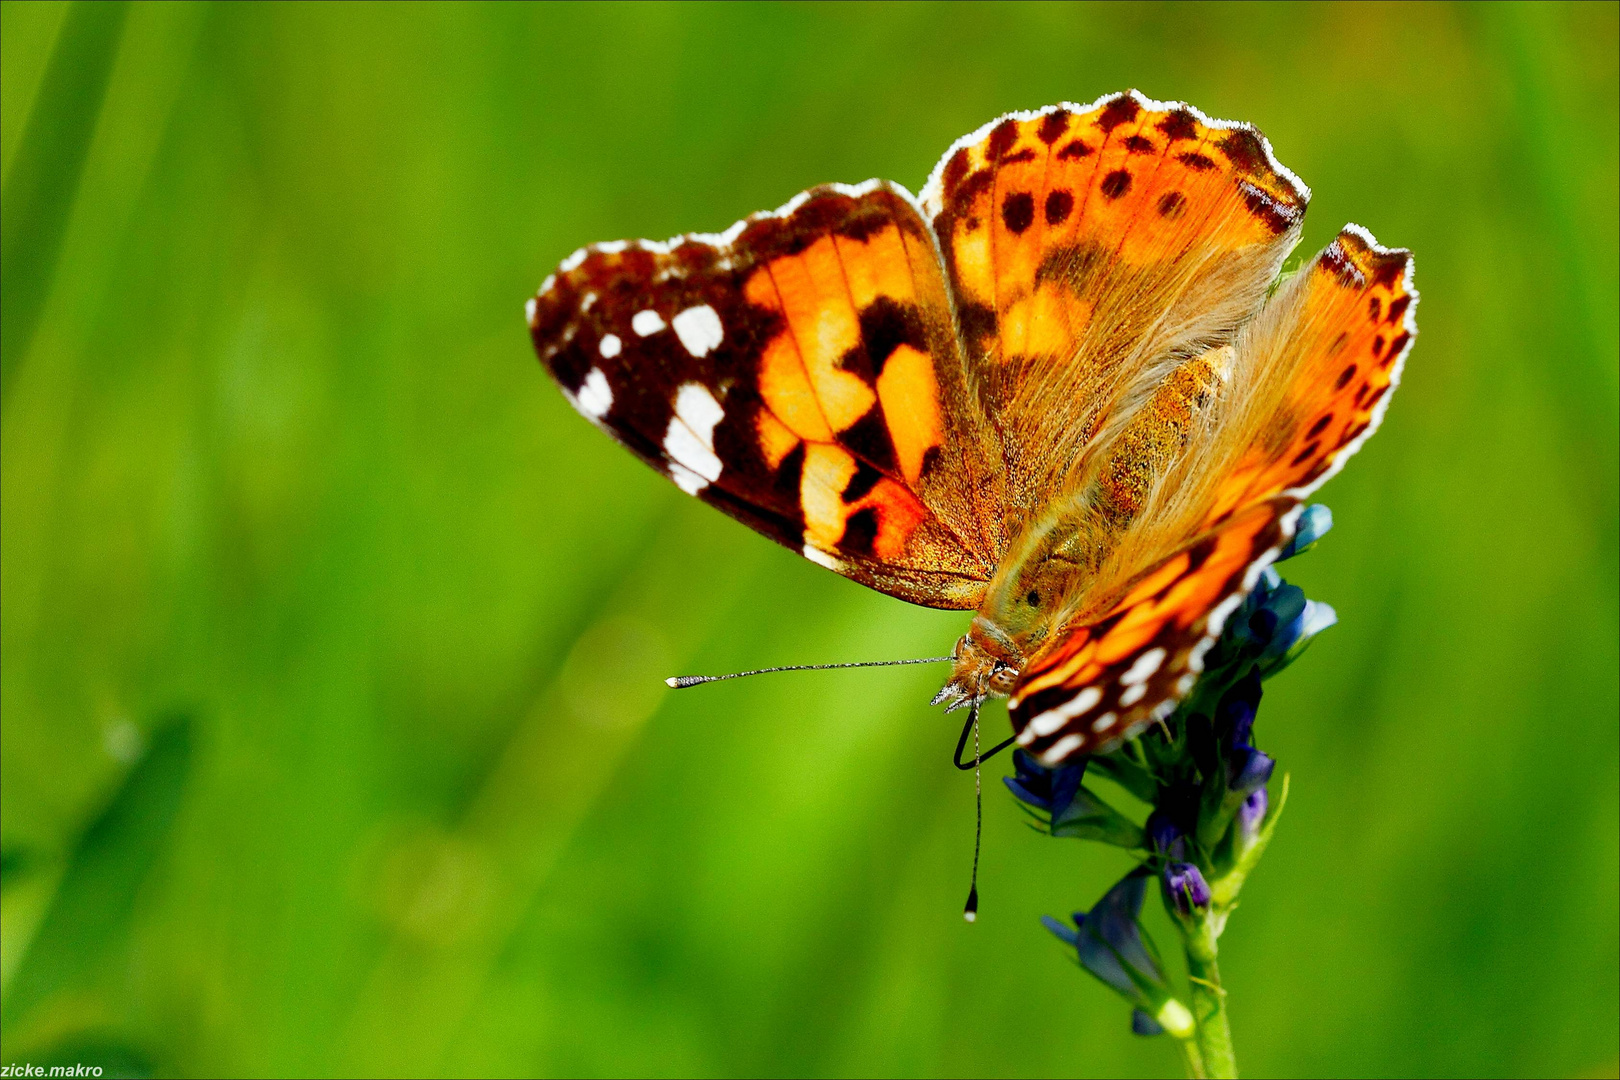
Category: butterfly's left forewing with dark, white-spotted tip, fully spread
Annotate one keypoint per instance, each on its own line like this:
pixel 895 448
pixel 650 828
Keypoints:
pixel 799 373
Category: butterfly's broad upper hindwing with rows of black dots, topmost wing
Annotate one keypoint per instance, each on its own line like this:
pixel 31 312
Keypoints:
pixel 1094 249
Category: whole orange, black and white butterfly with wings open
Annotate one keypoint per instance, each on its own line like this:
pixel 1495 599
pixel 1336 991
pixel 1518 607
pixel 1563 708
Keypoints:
pixel 1065 389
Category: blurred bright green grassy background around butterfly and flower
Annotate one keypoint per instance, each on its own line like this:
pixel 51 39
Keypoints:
pixel 333 728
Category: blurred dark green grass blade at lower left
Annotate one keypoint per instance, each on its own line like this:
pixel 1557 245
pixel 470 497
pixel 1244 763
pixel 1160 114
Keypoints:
pixel 96 898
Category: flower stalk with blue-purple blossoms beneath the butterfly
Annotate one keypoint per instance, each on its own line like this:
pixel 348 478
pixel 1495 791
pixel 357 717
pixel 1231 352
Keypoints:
pixel 1213 820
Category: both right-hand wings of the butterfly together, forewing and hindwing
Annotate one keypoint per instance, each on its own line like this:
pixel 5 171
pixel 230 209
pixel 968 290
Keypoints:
pixel 1308 385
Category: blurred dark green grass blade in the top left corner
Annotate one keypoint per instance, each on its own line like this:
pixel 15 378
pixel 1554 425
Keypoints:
pixel 45 177
